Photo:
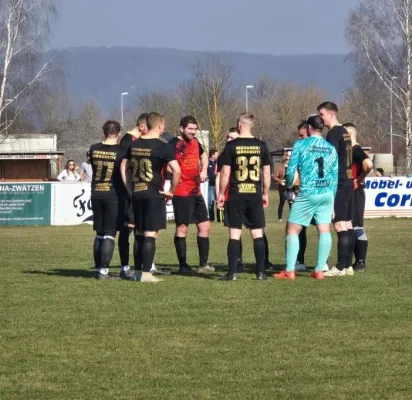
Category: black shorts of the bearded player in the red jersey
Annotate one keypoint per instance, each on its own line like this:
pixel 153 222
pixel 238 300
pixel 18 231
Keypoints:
pixel 189 210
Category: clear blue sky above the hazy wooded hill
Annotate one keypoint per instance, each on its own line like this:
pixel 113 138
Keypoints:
pixel 253 26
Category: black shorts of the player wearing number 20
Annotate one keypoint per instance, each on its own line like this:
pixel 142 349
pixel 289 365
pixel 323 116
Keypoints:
pixel 149 214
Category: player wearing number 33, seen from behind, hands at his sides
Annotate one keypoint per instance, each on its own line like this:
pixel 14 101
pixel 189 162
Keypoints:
pixel 243 160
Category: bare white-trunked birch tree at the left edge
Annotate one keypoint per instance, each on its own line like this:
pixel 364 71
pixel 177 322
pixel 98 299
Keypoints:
pixel 24 32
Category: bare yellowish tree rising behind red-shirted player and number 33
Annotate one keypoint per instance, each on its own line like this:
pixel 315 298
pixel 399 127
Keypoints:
pixel 210 96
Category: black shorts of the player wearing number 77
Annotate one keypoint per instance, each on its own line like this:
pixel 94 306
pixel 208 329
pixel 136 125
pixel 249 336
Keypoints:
pixel 106 218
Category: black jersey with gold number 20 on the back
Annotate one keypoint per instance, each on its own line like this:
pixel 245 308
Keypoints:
pixel 148 163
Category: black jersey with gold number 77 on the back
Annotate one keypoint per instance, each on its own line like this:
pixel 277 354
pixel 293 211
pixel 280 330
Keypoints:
pixel 105 160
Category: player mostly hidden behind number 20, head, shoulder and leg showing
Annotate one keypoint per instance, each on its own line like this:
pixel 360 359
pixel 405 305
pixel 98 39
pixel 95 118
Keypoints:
pixel 123 243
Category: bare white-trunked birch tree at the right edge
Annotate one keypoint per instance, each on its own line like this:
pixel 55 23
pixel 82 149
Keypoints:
pixel 380 32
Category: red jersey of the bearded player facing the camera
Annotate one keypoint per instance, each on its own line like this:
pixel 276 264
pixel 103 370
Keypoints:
pixel 188 154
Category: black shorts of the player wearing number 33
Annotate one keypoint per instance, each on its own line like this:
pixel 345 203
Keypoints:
pixel 248 212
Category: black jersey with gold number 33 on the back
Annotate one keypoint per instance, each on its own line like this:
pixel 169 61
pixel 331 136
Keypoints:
pixel 246 157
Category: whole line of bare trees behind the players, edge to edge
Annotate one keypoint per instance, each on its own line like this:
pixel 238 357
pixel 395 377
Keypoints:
pixel 379 100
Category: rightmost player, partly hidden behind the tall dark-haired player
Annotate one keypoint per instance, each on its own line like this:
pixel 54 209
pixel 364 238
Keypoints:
pixel 361 167
